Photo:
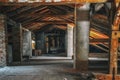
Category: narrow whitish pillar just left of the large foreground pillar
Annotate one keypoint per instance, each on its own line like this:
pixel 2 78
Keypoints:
pixel 69 40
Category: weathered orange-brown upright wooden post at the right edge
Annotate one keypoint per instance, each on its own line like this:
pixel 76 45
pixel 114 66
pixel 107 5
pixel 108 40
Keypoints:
pixel 114 44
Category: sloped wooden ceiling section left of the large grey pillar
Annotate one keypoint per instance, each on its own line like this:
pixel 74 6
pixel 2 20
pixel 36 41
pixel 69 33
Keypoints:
pixel 35 17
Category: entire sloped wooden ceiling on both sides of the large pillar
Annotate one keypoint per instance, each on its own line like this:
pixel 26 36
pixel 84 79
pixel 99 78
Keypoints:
pixel 36 17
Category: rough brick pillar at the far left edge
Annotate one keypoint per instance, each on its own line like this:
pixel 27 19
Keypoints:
pixel 2 41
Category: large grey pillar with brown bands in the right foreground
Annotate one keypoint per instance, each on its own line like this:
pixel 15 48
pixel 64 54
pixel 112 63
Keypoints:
pixel 82 37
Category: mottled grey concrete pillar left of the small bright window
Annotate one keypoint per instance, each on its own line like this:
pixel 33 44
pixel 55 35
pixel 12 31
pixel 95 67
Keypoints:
pixel 27 43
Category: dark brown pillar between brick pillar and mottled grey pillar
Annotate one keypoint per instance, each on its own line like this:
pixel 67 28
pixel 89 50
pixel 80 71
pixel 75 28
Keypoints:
pixel 17 43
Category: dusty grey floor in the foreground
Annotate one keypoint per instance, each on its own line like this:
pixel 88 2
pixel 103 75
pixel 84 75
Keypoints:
pixel 62 71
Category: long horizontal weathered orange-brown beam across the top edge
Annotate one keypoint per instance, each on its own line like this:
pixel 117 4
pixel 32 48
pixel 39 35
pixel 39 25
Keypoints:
pixel 3 2
